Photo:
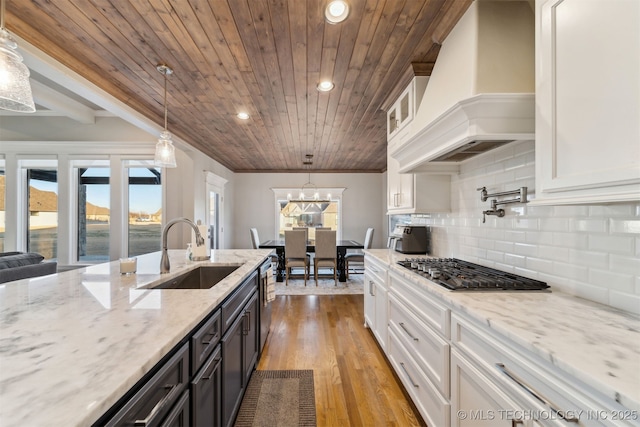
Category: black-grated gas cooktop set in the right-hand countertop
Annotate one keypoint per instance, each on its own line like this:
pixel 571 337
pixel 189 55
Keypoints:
pixel 457 275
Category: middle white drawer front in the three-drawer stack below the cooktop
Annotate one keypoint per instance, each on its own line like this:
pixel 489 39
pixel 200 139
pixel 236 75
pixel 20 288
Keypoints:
pixel 430 351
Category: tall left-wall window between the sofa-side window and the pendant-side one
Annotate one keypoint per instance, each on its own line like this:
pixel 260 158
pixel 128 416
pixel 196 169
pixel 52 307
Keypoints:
pixel 94 214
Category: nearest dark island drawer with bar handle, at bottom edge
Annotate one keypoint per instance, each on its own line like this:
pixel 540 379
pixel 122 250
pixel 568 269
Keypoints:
pixel 158 396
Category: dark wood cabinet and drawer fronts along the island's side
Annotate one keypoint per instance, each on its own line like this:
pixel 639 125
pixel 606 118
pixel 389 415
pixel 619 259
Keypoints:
pixel 201 382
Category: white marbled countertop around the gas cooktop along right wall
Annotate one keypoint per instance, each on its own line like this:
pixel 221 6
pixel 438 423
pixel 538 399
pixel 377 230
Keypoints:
pixel 596 344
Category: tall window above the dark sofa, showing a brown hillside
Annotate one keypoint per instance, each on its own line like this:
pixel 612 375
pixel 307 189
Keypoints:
pixel 42 207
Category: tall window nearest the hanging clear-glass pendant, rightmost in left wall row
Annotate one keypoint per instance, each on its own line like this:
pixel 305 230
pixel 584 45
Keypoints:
pixel 145 208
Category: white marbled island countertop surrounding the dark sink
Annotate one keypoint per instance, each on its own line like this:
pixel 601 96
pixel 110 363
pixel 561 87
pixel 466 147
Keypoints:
pixel 71 344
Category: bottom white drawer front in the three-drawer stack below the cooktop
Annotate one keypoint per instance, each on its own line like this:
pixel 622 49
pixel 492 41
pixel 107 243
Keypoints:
pixel 433 407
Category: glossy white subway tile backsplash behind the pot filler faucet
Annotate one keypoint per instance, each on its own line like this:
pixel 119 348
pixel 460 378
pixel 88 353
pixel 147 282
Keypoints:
pixel 591 251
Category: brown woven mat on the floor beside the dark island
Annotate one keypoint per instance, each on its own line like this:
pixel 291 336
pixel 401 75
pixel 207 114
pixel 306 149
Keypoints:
pixel 278 398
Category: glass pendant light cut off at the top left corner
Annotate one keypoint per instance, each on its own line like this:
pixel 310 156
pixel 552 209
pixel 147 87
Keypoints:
pixel 15 89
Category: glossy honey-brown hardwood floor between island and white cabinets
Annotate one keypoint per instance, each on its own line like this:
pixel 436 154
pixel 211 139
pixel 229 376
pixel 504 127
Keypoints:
pixel 354 385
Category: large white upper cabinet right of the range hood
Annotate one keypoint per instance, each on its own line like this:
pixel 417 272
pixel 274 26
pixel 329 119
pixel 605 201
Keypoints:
pixel 587 101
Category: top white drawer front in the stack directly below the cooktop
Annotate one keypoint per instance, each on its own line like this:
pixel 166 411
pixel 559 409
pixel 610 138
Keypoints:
pixel 418 301
